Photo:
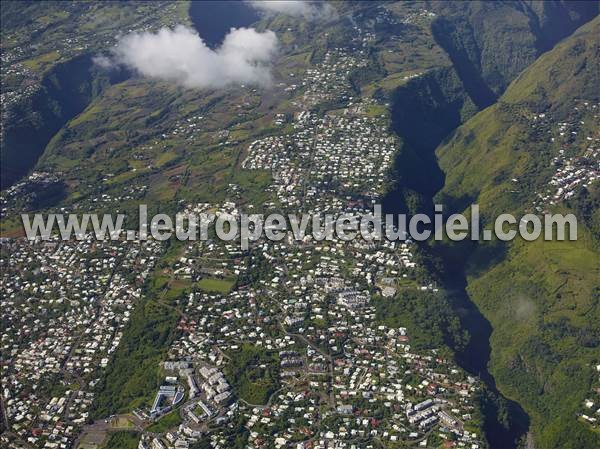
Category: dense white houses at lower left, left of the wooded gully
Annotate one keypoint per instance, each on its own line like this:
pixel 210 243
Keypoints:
pixel 65 305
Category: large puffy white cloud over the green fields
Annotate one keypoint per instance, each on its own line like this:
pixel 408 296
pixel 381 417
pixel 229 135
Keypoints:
pixel 182 57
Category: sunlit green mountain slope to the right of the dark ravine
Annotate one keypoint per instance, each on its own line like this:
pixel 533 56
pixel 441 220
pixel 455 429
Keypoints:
pixel 542 298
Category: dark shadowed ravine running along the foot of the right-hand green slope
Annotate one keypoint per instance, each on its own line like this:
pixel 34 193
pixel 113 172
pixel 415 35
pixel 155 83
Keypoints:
pixel 424 112
